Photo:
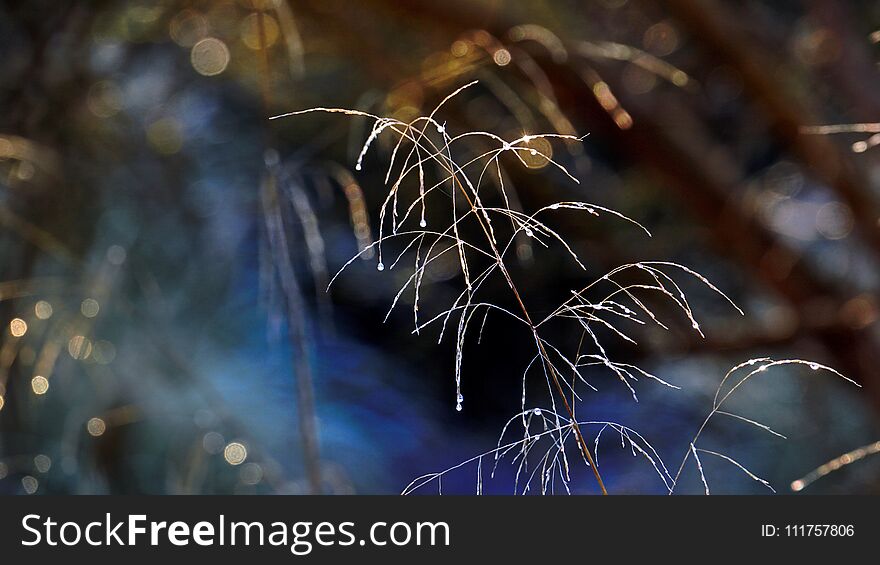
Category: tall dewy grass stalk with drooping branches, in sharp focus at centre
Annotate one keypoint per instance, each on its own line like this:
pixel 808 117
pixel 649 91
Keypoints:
pixel 432 146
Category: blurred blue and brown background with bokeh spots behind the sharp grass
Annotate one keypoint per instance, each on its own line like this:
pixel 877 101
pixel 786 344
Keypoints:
pixel 164 247
